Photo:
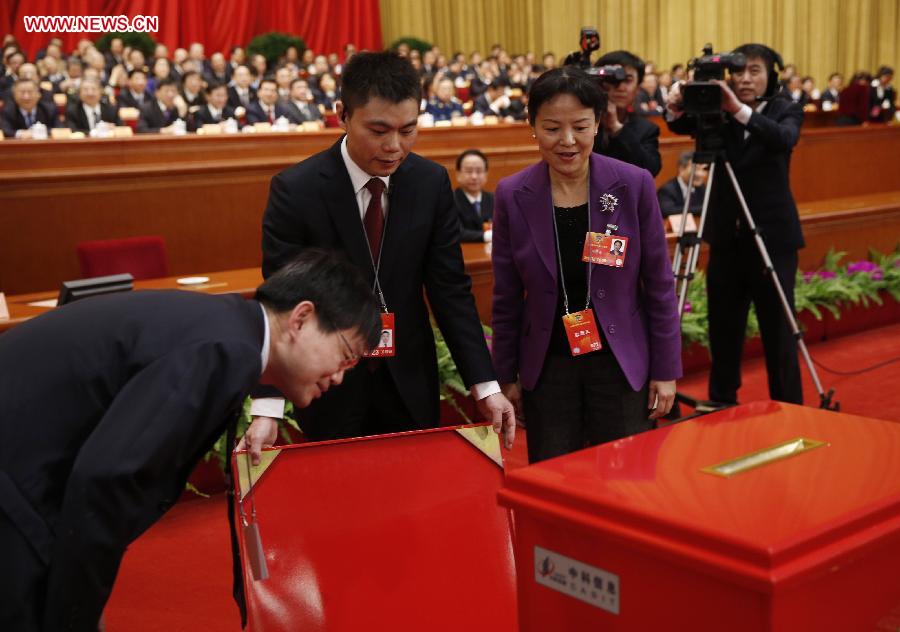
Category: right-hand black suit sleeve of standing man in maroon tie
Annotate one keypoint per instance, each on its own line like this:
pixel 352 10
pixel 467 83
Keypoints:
pixel 449 291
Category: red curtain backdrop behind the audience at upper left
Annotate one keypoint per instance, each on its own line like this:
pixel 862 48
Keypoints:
pixel 325 25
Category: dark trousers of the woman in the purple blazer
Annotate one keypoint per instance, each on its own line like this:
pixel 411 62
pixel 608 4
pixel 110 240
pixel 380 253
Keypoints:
pixel 581 401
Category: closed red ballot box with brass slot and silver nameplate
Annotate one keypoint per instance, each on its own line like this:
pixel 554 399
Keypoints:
pixel 763 517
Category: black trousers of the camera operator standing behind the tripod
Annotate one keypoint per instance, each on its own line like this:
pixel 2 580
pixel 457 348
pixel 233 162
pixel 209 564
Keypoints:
pixel 735 277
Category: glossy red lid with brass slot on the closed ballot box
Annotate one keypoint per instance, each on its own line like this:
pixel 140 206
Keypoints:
pixel 760 490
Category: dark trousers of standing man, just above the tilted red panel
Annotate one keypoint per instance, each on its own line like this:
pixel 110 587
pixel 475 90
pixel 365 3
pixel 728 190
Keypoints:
pixel 366 403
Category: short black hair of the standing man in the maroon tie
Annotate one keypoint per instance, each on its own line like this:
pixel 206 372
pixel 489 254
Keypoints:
pixel 384 74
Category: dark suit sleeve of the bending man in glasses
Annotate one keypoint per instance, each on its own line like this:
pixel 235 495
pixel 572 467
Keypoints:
pixel 133 466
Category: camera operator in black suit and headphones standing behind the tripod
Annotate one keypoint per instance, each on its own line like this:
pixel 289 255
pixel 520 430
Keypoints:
pixel 759 134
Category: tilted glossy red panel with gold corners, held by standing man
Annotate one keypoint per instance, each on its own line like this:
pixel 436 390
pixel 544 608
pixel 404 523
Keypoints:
pixel 396 532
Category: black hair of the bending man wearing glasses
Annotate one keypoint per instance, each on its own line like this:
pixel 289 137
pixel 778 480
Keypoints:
pixel 343 300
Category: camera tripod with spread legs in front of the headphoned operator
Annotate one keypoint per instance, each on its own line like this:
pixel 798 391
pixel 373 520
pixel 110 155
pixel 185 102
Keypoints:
pixel 684 266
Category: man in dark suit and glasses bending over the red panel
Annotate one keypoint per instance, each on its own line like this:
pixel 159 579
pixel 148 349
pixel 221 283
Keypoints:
pixel 142 384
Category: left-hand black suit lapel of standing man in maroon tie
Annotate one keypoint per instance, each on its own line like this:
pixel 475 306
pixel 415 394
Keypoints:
pixel 340 200
